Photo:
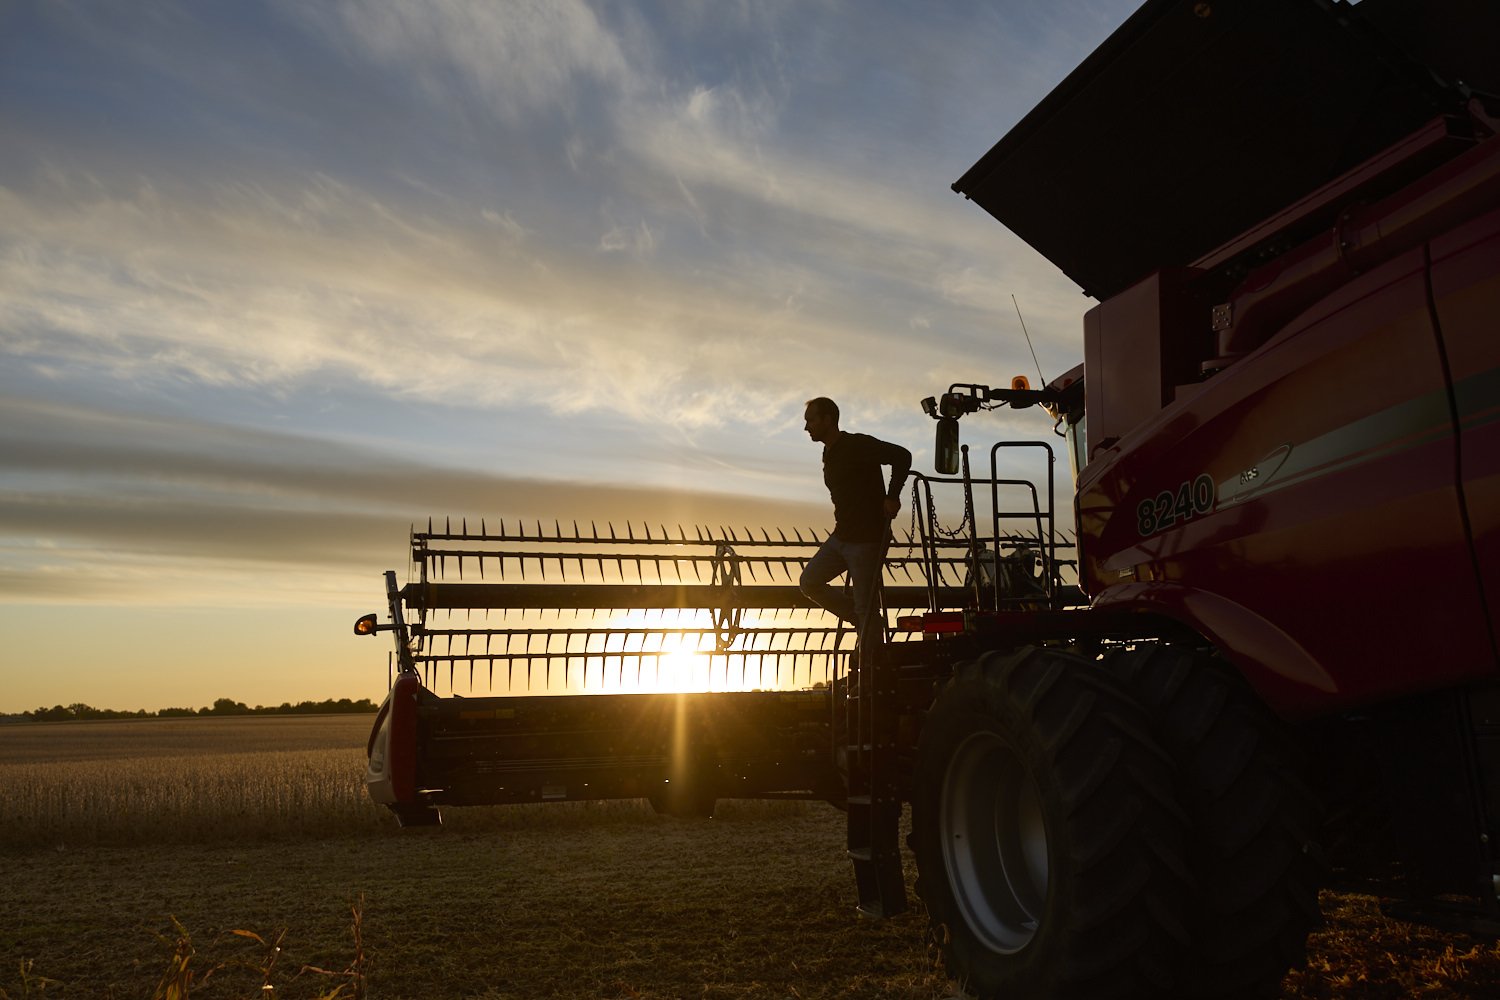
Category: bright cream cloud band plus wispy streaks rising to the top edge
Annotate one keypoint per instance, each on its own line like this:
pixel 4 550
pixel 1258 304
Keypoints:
pixel 706 253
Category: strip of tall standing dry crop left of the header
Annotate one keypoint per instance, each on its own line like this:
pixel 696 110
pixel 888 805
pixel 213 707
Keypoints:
pixel 74 785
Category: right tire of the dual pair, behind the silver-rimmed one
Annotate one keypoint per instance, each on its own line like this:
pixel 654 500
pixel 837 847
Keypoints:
pixel 1252 852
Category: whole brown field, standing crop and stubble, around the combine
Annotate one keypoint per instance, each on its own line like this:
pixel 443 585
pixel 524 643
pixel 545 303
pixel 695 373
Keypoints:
pixel 565 900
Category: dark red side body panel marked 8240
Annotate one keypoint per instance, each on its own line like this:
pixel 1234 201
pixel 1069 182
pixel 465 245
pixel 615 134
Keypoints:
pixel 1333 560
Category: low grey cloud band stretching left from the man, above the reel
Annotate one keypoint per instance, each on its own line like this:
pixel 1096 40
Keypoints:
pixel 113 506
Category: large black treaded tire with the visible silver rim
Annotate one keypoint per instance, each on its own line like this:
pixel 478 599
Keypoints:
pixel 1048 839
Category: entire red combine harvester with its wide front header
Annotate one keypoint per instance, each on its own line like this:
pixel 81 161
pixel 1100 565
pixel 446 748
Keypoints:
pixel 1286 452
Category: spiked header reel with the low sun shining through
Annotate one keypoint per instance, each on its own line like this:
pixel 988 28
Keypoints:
pixel 530 609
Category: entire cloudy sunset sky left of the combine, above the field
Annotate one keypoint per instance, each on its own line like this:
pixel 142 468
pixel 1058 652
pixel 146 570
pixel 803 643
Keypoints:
pixel 281 280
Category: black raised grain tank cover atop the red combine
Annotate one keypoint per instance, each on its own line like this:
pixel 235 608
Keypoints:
pixel 1199 118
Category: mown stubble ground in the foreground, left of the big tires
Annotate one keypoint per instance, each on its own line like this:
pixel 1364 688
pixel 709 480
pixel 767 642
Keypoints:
pixel 622 906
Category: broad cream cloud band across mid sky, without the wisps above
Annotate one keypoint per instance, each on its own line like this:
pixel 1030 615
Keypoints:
pixel 274 287
